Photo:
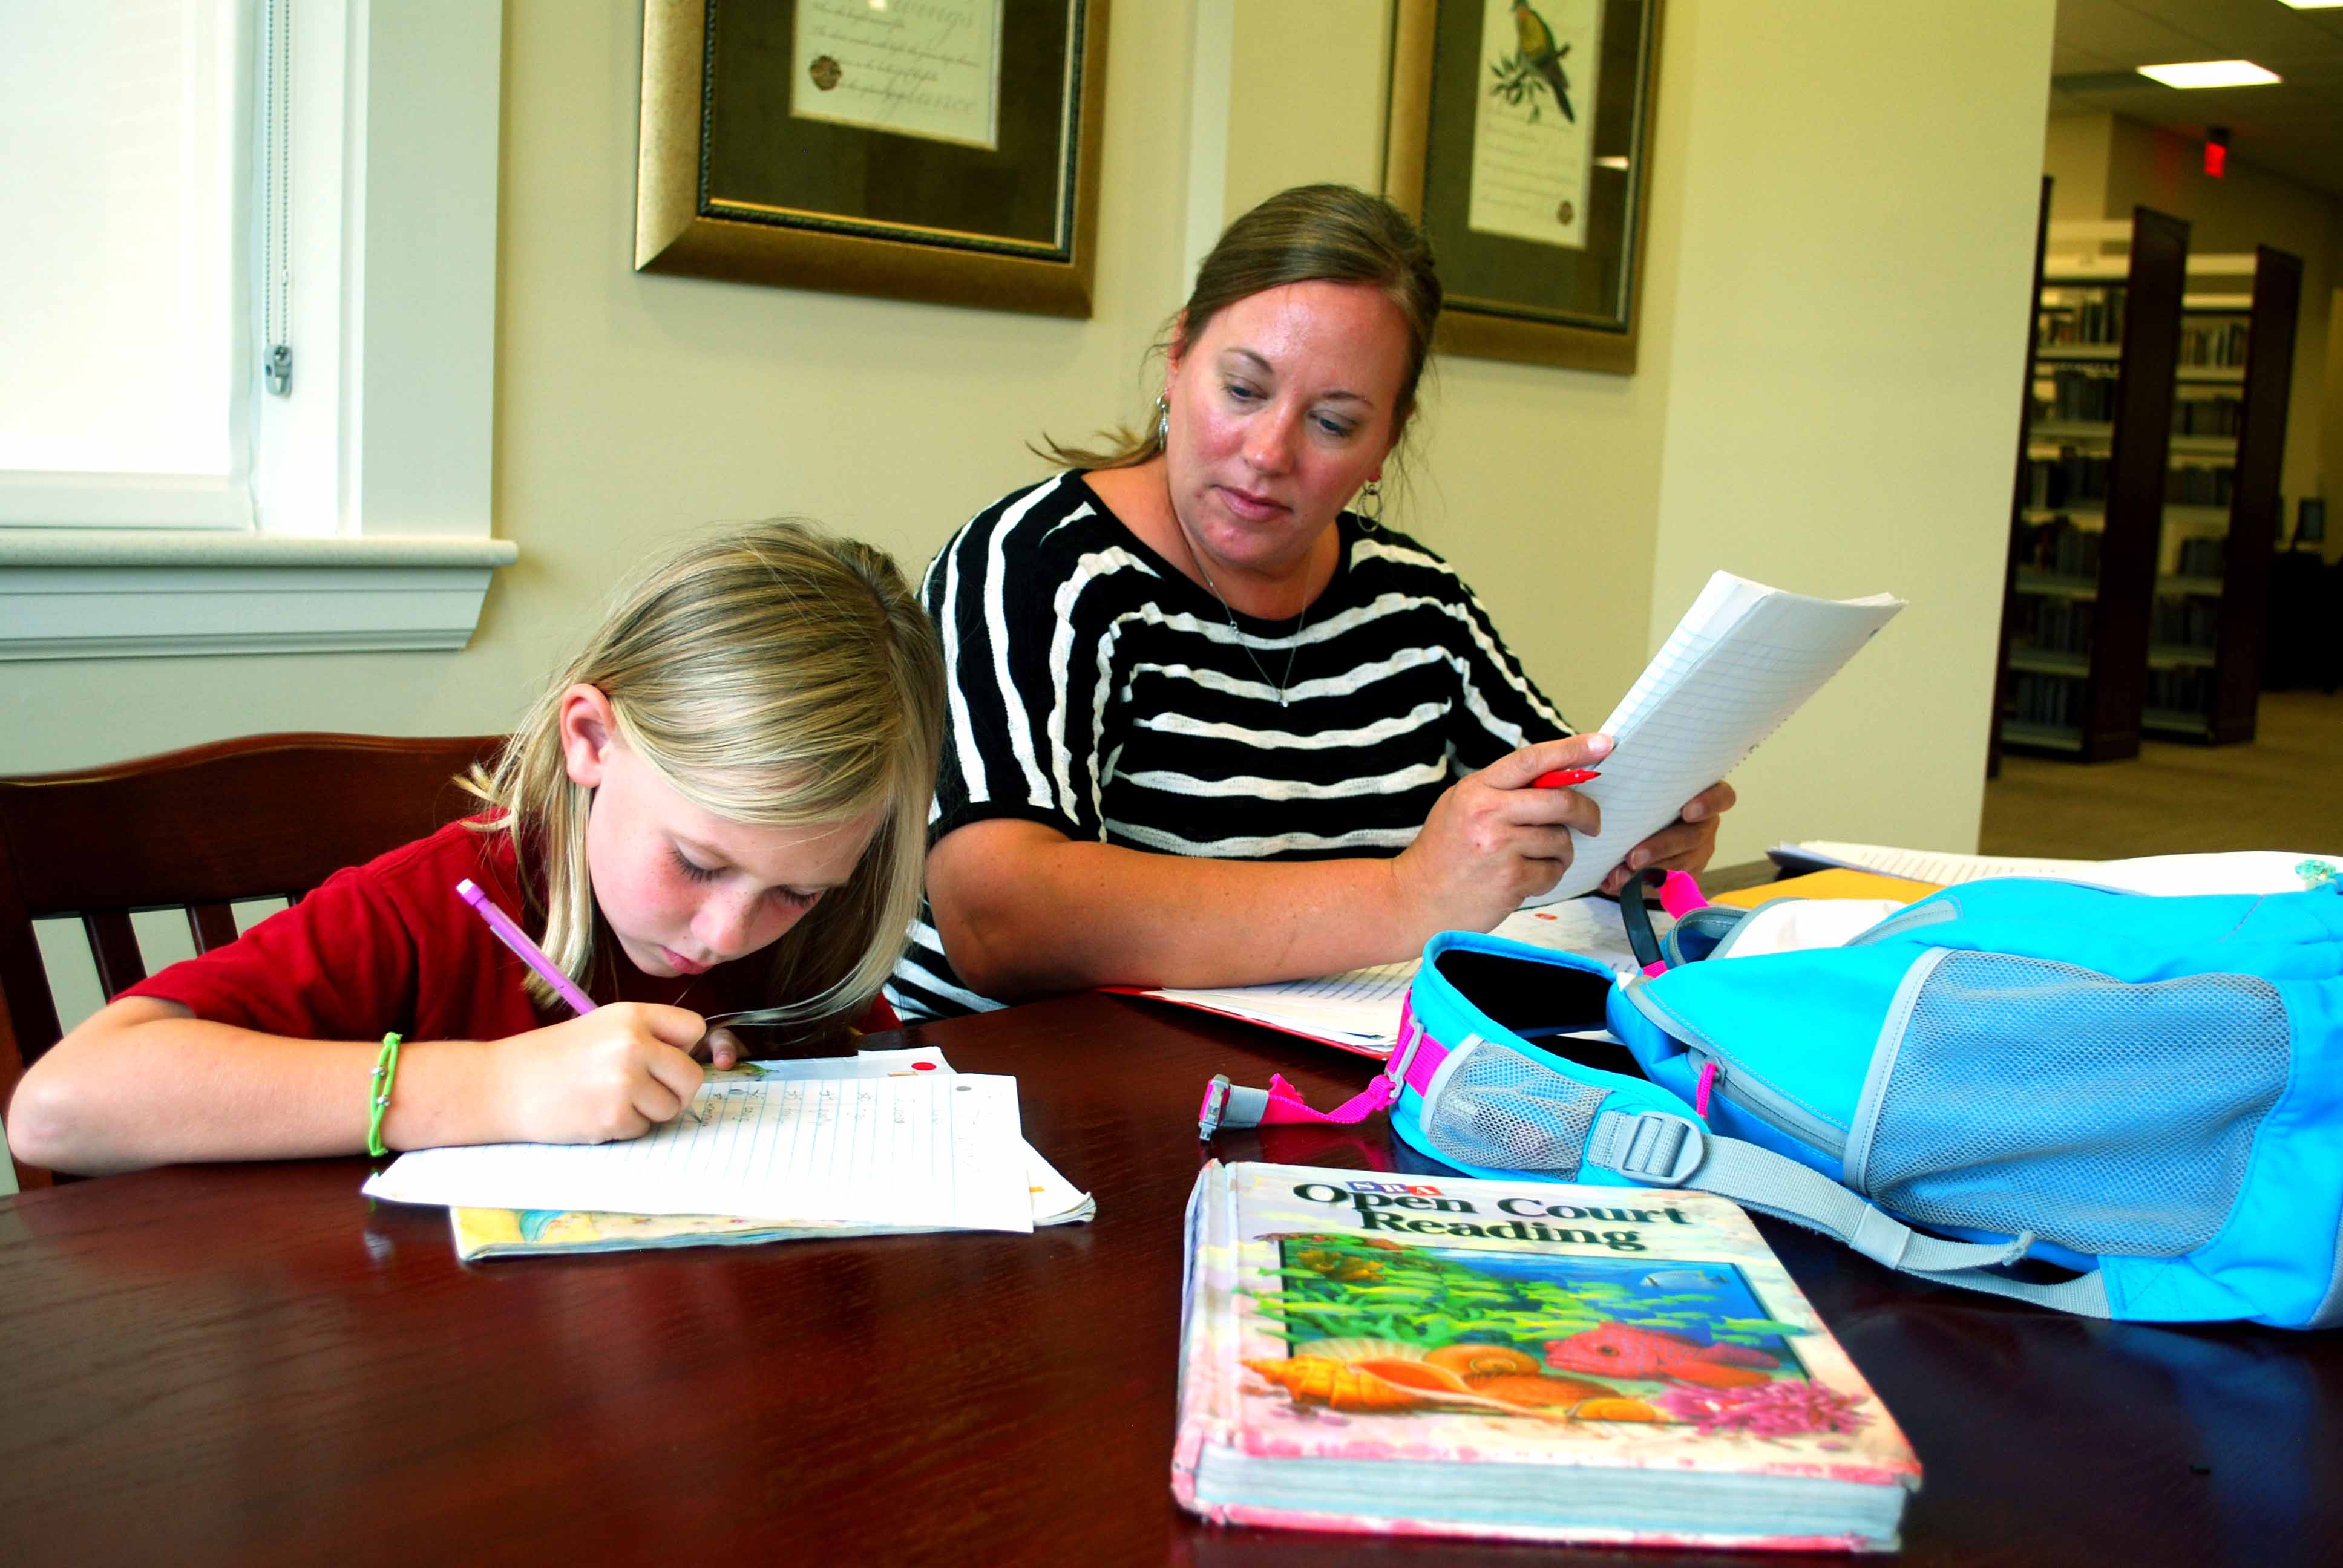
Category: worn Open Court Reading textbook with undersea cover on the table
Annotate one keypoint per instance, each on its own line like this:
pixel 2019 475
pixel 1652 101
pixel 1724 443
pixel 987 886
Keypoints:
pixel 1517 1361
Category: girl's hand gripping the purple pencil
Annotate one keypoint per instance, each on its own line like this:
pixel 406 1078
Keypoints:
pixel 610 1075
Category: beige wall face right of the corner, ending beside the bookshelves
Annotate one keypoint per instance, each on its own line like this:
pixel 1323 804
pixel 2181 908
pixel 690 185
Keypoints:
pixel 1847 350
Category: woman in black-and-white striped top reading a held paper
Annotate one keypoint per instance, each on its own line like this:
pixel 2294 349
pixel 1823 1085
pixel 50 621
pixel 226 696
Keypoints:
pixel 1208 728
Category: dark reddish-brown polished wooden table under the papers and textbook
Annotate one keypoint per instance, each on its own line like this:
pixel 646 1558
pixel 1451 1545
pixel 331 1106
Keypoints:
pixel 252 1365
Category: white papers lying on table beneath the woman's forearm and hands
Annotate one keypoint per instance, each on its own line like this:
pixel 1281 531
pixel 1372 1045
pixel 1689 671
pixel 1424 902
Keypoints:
pixel 1360 1009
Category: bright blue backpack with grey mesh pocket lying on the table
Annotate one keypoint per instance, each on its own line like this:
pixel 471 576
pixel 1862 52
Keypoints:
pixel 2150 1084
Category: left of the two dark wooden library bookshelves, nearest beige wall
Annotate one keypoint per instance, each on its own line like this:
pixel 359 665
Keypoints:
pixel 2091 489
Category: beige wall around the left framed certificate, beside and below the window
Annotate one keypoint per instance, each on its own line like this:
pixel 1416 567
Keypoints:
pixel 631 407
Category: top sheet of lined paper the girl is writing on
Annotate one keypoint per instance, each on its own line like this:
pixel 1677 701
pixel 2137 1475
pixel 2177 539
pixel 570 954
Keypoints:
pixel 936 1152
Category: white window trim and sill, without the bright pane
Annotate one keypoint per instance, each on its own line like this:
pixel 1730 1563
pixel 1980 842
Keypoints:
pixel 376 479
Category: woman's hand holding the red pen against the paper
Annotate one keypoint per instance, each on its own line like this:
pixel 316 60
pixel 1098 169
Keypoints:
pixel 1496 840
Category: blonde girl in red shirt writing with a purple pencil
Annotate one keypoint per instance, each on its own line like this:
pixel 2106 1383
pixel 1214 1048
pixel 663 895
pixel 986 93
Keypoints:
pixel 720 805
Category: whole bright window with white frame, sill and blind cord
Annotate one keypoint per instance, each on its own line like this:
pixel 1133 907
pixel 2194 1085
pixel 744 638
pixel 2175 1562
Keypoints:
pixel 153 493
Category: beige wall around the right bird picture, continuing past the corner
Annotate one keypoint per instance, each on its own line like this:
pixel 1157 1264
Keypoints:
pixel 1833 339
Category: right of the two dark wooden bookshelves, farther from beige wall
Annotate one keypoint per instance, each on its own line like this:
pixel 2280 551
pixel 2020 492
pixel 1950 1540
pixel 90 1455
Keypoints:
pixel 2229 439
